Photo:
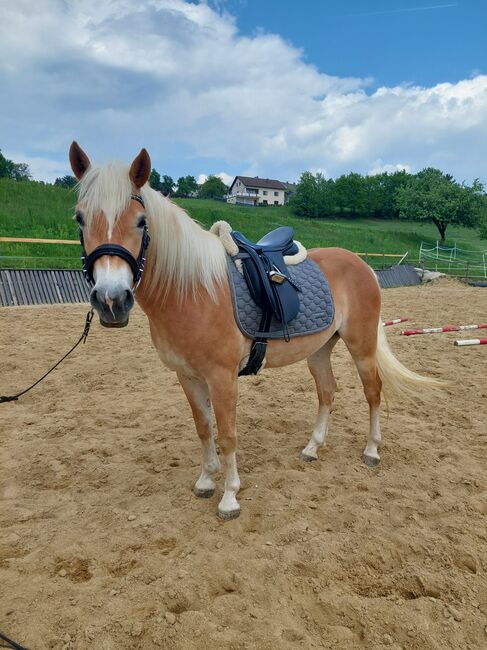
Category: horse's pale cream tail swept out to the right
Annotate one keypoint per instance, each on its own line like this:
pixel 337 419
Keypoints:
pixel 396 378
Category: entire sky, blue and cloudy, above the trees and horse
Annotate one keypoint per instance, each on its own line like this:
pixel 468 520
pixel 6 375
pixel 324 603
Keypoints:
pixel 253 87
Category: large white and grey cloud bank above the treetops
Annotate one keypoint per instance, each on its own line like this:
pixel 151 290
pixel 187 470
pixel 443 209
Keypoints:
pixel 178 78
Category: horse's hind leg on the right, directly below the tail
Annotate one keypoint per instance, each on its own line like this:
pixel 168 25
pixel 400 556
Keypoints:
pixel 365 360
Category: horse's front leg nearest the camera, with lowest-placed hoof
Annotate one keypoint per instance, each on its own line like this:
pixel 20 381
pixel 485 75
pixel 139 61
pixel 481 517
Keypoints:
pixel 224 391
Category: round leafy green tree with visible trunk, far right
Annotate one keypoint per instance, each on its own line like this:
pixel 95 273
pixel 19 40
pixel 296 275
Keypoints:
pixel 434 196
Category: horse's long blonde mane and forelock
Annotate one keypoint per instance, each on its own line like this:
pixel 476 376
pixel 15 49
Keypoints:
pixel 181 254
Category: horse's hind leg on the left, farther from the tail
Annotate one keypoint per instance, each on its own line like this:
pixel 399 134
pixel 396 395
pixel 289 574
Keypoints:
pixel 319 365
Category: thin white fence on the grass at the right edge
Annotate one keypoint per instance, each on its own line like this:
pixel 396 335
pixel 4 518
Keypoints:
pixel 454 261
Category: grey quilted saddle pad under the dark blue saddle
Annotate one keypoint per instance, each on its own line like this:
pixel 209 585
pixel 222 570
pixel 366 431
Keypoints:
pixel 316 309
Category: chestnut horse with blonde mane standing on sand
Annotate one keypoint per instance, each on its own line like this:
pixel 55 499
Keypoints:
pixel 185 294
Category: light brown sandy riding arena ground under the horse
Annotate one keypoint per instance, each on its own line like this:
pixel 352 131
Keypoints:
pixel 104 546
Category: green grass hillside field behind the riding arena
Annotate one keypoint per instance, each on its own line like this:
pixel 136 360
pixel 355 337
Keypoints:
pixel 44 211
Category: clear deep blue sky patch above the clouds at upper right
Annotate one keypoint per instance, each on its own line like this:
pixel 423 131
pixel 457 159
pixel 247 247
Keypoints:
pixel 392 41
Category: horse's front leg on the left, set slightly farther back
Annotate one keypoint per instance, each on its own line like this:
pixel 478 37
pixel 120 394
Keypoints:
pixel 199 399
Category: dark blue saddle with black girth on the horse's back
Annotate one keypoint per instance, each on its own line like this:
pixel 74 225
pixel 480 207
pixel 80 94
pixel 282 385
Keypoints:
pixel 270 284
